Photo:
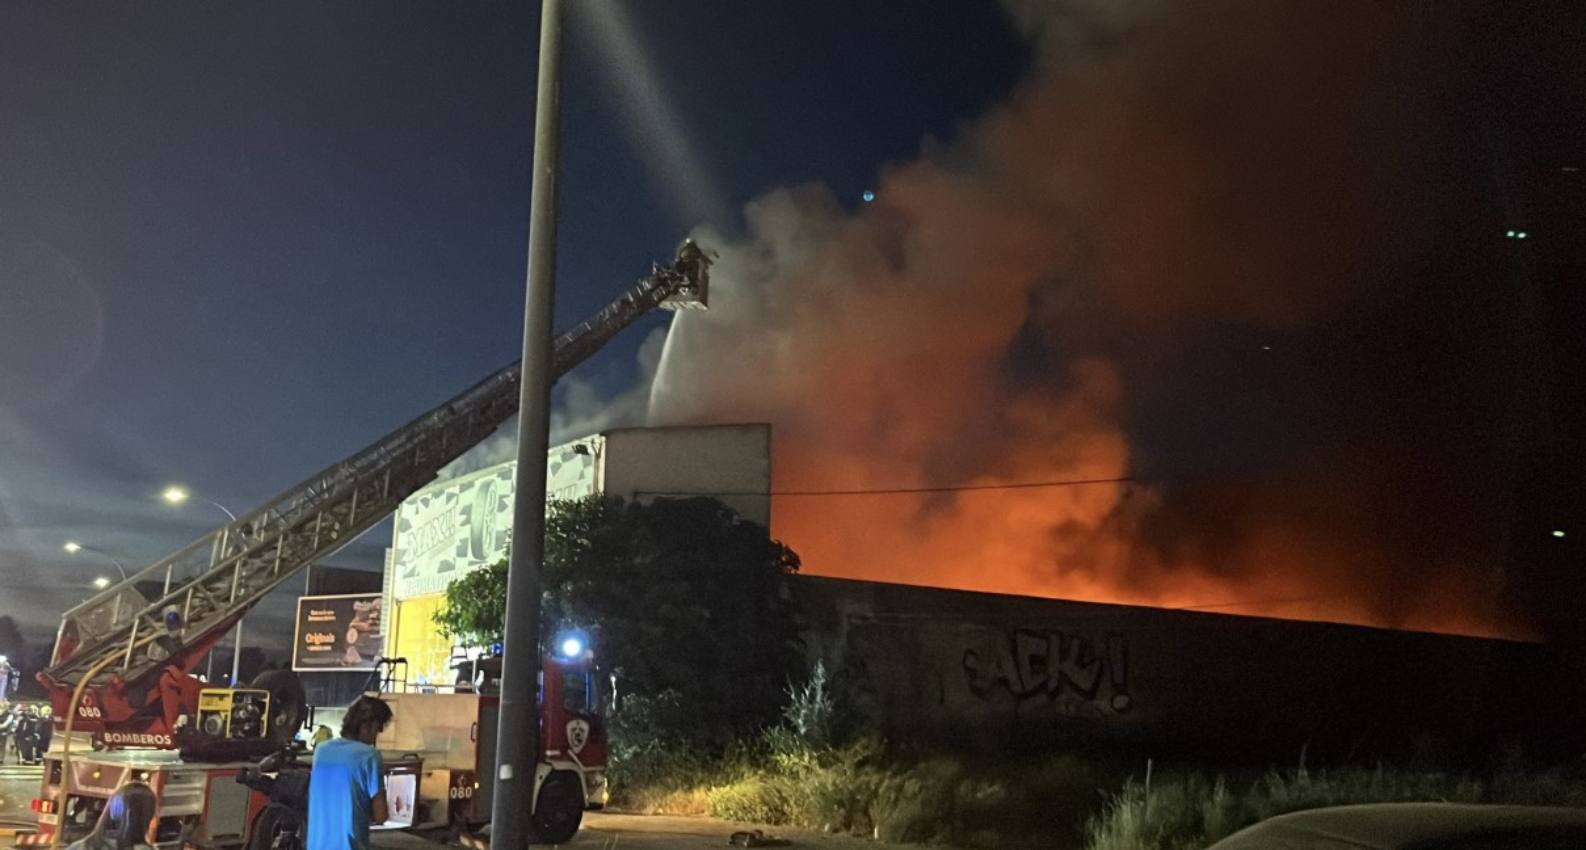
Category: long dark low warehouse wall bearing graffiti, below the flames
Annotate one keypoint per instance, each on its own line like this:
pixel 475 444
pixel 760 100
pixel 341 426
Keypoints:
pixel 1011 672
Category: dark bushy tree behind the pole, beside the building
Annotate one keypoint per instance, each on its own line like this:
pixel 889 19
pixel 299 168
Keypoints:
pixel 684 602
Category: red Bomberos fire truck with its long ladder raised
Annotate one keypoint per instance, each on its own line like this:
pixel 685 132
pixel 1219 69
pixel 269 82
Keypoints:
pixel 128 703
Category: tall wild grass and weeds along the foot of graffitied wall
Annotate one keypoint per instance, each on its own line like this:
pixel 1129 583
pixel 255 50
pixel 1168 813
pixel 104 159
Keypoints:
pixel 795 775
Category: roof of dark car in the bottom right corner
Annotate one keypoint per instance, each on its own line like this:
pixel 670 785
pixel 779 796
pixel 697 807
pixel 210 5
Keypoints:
pixel 1417 827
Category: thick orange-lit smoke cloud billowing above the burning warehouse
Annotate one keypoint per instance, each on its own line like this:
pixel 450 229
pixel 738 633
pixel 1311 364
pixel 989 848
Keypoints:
pixel 1200 248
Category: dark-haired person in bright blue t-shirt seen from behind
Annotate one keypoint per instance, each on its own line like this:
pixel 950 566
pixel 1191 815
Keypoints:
pixel 347 792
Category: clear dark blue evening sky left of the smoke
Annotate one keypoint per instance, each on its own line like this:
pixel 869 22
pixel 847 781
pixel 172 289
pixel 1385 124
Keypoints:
pixel 243 240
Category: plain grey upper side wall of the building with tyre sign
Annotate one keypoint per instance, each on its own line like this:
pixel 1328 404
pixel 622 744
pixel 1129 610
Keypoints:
pixel 726 462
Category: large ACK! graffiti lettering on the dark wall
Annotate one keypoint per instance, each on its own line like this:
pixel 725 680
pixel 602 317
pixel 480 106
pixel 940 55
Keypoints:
pixel 1078 673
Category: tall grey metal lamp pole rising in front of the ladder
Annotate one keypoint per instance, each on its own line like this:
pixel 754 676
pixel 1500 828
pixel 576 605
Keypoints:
pixel 518 732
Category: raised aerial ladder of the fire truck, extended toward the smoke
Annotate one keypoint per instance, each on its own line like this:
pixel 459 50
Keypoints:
pixel 129 653
